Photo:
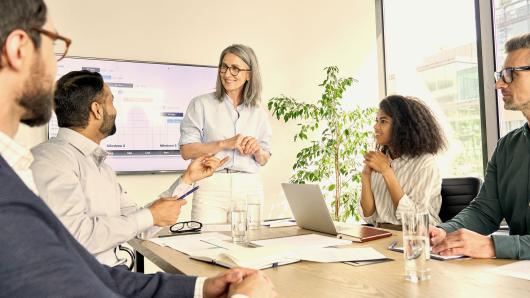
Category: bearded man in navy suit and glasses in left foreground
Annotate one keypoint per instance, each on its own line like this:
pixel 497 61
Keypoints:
pixel 38 255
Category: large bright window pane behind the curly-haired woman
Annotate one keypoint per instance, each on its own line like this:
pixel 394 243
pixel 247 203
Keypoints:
pixel 431 53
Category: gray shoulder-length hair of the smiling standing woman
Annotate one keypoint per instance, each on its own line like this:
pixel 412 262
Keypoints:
pixel 252 88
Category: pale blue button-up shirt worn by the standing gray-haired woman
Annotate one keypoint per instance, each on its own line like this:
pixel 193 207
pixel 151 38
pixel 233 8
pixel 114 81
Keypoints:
pixel 209 120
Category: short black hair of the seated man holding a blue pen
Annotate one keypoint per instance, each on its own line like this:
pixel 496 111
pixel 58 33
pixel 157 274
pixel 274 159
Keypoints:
pixel 74 94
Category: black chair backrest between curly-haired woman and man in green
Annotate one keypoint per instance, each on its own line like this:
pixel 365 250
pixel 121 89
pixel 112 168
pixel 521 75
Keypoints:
pixel 457 193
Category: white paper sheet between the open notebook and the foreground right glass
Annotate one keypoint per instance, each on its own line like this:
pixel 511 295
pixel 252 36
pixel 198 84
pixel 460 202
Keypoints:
pixel 328 255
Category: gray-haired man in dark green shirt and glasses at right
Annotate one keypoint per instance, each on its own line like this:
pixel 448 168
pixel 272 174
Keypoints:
pixel 506 189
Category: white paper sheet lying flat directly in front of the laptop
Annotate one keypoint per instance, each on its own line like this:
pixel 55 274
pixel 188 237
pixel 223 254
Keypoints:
pixel 303 241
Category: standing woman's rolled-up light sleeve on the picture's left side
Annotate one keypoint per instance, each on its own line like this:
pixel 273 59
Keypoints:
pixel 191 128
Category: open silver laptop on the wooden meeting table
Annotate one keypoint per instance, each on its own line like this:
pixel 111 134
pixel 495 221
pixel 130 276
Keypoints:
pixel 310 211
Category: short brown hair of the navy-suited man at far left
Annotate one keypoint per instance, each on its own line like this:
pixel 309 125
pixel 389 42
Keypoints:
pixel 24 15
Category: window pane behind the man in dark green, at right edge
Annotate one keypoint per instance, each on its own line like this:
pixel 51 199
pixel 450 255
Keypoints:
pixel 512 18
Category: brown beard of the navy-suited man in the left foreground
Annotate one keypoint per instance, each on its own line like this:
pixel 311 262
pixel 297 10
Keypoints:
pixel 37 96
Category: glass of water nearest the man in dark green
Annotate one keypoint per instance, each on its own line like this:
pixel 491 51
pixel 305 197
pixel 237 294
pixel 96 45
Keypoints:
pixel 416 247
